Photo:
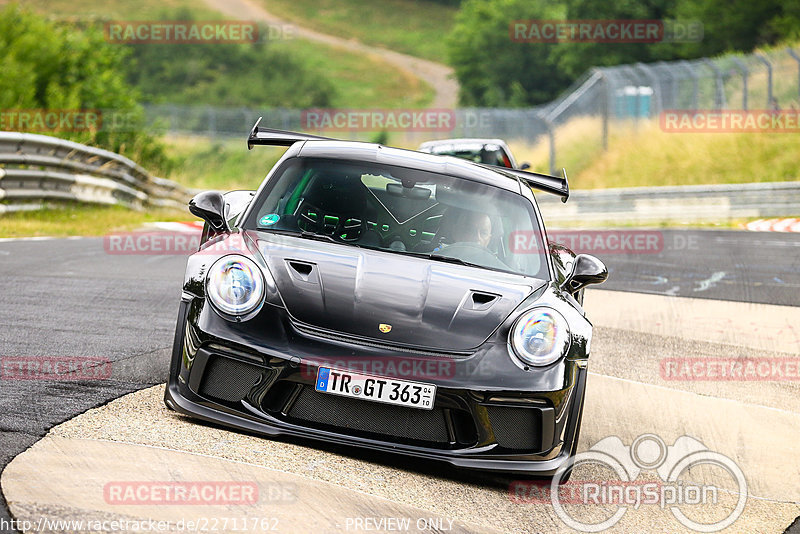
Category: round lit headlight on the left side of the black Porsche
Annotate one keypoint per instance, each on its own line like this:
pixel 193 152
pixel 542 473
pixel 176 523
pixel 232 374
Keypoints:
pixel 235 285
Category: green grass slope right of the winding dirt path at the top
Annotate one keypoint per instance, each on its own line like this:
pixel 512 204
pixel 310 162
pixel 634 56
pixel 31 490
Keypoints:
pixel 414 27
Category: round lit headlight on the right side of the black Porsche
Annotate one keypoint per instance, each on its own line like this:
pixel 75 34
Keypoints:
pixel 540 336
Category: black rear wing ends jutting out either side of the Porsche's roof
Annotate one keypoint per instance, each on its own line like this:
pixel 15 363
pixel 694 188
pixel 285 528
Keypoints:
pixel 543 182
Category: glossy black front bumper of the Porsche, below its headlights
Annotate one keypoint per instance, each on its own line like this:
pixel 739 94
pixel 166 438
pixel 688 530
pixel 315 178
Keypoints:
pixel 272 394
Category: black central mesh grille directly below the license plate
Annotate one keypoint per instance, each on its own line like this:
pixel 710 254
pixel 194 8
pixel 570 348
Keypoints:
pixel 370 417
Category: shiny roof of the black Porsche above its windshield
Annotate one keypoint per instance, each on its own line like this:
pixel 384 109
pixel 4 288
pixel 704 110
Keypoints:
pixel 411 159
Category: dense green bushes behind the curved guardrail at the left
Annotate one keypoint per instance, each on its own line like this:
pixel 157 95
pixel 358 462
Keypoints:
pixel 56 66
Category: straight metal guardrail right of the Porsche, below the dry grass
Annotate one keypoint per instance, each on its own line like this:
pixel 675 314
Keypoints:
pixel 690 203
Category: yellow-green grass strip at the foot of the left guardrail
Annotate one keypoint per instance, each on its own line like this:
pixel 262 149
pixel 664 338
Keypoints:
pixel 81 220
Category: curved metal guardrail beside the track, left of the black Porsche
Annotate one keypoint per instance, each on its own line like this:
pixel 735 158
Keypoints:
pixel 37 169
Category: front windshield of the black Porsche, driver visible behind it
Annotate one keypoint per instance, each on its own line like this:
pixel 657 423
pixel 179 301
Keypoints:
pixel 403 211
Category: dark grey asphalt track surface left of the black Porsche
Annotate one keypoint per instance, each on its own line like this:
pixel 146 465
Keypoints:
pixel 69 298
